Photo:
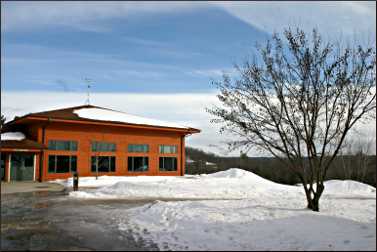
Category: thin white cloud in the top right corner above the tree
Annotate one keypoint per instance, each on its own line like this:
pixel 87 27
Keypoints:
pixel 333 19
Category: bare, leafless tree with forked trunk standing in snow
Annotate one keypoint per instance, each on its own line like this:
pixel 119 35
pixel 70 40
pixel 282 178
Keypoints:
pixel 298 101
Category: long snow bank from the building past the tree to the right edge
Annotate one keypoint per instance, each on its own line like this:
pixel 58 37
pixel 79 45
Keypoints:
pixel 230 184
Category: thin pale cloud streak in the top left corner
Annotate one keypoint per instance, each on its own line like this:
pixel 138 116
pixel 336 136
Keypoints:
pixel 80 15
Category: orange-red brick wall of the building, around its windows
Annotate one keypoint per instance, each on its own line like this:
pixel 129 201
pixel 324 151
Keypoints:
pixel 121 136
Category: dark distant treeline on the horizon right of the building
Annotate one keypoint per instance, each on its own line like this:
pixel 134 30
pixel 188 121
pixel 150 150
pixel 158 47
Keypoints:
pixel 359 167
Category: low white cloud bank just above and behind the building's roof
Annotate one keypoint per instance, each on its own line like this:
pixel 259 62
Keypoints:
pixel 183 108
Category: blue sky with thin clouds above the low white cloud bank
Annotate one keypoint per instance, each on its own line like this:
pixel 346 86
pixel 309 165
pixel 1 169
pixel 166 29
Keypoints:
pixel 154 46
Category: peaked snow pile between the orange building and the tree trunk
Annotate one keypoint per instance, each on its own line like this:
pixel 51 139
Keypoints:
pixel 230 184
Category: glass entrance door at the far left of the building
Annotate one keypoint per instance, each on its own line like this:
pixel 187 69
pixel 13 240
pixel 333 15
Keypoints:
pixel 22 167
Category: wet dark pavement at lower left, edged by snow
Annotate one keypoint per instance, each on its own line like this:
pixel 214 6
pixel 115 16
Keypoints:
pixel 54 221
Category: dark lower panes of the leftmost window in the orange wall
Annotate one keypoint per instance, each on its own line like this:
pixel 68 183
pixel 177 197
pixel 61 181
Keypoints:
pixel 62 164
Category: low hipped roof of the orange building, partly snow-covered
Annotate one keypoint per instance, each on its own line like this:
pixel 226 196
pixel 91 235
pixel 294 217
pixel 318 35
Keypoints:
pixel 90 113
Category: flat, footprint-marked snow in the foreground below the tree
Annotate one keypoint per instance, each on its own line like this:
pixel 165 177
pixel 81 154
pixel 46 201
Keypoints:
pixel 196 226
